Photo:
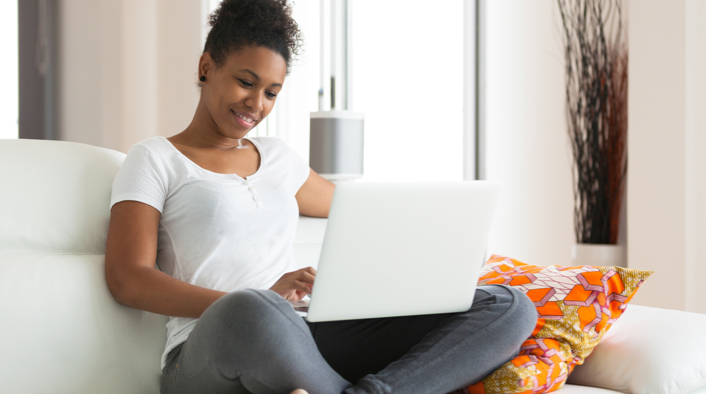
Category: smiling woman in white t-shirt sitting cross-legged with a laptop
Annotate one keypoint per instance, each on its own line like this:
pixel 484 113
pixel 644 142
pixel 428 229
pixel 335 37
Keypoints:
pixel 218 212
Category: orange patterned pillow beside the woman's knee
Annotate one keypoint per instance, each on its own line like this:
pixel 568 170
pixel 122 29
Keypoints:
pixel 575 307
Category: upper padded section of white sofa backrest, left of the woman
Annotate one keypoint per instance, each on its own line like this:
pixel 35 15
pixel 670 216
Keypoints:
pixel 54 196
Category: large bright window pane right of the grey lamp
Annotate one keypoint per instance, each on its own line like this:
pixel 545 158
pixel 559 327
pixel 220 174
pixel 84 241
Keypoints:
pixel 407 69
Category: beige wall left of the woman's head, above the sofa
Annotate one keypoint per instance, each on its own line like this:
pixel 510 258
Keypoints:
pixel 127 69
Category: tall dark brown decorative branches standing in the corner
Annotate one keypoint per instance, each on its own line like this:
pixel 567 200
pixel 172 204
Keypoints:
pixel 596 113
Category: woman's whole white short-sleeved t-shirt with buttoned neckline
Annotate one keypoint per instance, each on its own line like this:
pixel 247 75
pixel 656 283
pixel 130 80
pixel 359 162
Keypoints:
pixel 218 231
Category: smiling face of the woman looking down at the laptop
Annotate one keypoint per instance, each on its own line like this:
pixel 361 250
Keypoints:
pixel 239 94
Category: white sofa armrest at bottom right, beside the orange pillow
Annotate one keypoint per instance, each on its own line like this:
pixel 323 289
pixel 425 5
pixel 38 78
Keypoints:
pixel 649 351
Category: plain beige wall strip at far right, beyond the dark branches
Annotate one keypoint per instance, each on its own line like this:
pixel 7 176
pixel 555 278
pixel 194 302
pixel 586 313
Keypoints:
pixel 667 185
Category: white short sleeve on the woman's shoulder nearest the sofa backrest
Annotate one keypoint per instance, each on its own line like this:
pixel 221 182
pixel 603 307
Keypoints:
pixel 140 179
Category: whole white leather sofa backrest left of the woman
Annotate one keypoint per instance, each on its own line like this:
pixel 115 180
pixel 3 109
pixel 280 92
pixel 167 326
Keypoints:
pixel 62 331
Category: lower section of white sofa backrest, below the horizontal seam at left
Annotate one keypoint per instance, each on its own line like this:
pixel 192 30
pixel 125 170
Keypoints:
pixel 63 332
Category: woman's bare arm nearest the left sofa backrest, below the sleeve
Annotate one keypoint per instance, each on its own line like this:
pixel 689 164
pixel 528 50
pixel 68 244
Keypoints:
pixel 130 255
